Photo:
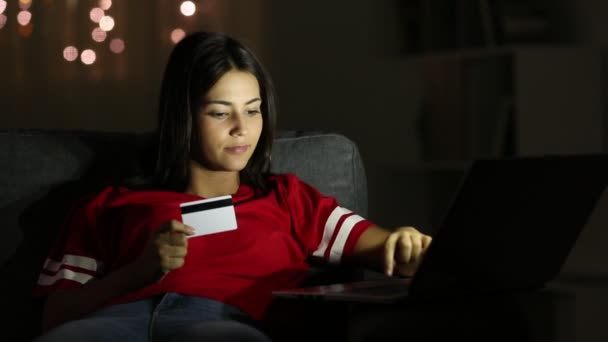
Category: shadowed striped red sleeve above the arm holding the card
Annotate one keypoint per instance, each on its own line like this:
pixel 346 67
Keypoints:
pixel 77 254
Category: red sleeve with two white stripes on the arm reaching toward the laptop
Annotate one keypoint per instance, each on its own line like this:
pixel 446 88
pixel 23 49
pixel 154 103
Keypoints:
pixel 328 230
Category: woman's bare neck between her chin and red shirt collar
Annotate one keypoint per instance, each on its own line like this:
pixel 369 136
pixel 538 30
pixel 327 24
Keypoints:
pixel 206 183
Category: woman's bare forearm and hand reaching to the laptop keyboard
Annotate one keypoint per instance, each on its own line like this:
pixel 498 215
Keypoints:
pixel 392 252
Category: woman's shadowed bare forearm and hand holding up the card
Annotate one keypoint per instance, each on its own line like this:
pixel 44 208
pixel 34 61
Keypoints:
pixel 164 251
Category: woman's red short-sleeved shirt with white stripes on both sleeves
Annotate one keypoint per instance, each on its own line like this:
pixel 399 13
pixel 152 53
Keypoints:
pixel 276 234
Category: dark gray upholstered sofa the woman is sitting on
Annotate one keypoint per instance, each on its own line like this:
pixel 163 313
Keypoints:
pixel 44 170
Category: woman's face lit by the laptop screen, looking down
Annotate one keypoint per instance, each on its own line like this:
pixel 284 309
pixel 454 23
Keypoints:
pixel 229 122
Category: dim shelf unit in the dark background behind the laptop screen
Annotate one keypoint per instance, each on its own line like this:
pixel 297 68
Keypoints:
pixel 504 102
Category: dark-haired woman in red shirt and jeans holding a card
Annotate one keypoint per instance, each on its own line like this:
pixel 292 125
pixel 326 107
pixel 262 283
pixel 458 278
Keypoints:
pixel 126 266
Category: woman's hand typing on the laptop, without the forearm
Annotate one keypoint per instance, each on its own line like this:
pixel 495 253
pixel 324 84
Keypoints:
pixel 404 248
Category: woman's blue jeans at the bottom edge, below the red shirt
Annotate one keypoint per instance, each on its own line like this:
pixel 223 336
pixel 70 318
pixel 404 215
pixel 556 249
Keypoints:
pixel 171 317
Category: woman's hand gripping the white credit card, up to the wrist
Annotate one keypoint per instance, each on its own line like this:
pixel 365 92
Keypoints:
pixel 166 249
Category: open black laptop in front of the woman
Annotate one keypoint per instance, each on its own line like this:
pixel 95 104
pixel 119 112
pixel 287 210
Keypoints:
pixel 510 226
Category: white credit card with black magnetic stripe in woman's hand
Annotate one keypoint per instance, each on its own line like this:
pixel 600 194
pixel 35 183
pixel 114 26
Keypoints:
pixel 209 216
